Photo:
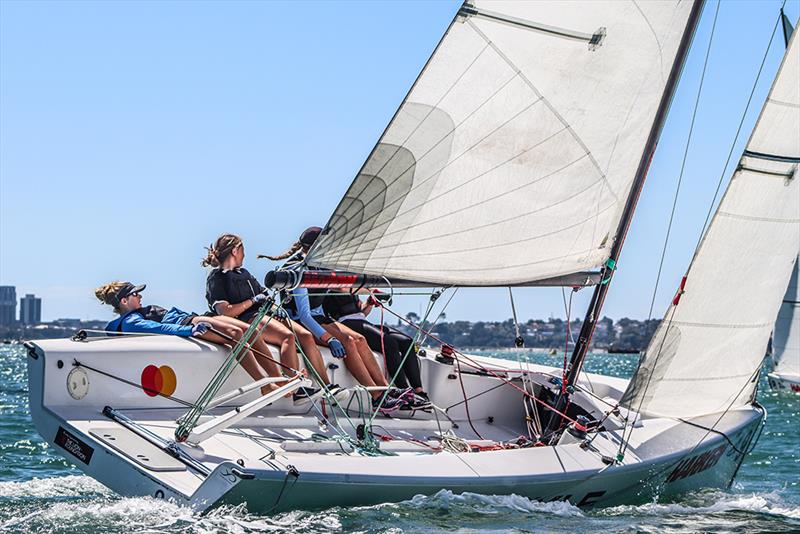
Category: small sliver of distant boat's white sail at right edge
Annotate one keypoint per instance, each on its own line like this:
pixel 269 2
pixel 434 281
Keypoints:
pixel 786 336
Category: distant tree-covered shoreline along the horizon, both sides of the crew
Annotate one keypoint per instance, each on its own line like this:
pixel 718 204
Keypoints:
pixel 624 335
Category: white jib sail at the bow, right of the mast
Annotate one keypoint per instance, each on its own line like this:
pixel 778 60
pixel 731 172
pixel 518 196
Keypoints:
pixel 706 354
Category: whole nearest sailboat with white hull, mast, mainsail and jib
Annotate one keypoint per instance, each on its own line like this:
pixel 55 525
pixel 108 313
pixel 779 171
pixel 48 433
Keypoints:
pixel 516 159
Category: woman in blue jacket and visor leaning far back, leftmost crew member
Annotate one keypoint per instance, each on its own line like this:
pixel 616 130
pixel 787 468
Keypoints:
pixel 126 300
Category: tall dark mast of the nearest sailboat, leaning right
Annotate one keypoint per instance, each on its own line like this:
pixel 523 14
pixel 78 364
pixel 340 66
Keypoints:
pixel 599 295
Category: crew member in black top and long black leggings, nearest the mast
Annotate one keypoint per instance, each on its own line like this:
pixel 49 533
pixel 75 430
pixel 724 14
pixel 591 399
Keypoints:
pixel 401 354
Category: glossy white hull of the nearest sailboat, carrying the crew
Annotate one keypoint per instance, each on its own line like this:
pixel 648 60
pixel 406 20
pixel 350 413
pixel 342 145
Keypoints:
pixel 269 460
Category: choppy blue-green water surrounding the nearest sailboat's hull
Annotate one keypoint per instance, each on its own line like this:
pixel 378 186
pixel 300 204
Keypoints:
pixel 42 492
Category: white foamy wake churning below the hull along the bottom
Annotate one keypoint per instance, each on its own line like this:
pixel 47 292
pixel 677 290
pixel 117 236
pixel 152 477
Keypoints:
pixel 78 503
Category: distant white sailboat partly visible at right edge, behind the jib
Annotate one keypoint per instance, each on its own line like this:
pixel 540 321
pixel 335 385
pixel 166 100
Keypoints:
pixel 785 357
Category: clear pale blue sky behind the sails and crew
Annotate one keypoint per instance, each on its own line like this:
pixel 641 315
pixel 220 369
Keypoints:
pixel 133 133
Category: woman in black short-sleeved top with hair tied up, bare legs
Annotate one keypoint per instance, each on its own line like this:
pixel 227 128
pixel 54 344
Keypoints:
pixel 231 290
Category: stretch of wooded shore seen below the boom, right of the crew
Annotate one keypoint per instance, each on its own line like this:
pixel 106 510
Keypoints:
pixel 623 335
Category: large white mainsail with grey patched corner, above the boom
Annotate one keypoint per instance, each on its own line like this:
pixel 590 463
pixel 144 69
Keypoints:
pixel 512 156
